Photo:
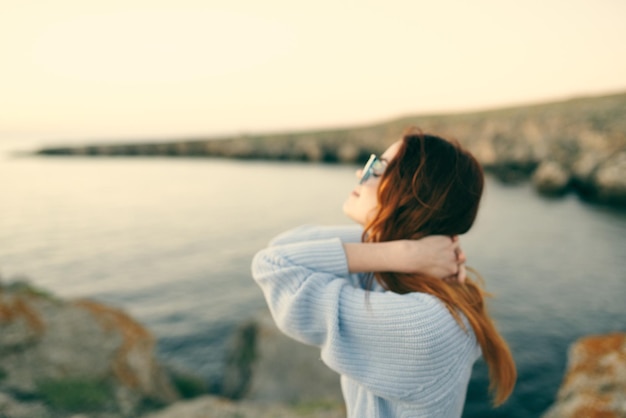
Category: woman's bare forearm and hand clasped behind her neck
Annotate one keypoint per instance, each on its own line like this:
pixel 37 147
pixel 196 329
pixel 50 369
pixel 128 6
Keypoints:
pixel 437 256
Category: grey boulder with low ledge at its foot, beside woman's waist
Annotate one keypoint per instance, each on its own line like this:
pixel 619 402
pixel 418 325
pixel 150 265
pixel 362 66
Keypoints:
pixel 267 375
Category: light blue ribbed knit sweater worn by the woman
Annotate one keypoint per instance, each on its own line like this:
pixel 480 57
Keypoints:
pixel 398 355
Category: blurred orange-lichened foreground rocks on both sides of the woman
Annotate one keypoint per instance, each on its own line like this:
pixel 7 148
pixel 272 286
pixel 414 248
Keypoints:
pixel 81 358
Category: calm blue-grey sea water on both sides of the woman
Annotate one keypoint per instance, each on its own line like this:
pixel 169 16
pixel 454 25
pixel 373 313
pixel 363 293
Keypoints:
pixel 170 241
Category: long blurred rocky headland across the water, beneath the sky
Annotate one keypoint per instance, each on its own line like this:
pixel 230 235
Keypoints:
pixel 577 145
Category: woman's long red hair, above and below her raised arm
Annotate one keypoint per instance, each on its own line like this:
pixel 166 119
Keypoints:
pixel 433 187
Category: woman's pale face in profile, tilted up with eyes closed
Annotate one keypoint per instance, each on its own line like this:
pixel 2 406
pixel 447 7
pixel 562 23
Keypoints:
pixel 362 203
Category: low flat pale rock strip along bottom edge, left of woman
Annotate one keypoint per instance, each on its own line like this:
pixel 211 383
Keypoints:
pixel 215 407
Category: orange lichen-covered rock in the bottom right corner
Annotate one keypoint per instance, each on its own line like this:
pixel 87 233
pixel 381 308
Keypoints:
pixel 595 380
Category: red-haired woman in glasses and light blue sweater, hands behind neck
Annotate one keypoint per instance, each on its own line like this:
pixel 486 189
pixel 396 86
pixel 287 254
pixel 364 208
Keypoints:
pixel 388 303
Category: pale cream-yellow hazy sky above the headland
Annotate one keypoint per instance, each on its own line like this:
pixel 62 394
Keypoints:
pixel 130 68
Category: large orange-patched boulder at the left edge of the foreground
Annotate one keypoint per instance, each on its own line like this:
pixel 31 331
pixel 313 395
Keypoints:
pixel 76 354
